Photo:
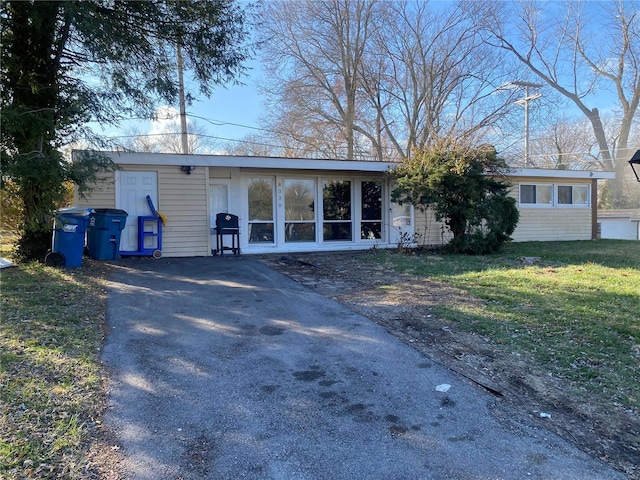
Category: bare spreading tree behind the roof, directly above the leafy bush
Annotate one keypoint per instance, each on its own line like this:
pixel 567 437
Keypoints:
pixel 433 77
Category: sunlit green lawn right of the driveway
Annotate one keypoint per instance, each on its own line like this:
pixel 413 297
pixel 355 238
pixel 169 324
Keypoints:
pixel 575 312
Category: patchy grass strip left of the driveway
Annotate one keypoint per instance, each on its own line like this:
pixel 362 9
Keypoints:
pixel 50 371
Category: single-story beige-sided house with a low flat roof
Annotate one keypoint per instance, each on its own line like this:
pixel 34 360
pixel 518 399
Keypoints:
pixel 300 205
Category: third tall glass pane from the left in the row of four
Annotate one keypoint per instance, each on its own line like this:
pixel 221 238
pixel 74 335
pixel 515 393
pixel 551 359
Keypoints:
pixel 336 209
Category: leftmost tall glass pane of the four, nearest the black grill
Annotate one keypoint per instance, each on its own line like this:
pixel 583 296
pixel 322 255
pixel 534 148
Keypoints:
pixel 261 210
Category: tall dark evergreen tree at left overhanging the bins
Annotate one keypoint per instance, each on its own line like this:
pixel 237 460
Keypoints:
pixel 66 63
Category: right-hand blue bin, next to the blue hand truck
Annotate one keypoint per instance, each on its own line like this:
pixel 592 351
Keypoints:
pixel 104 232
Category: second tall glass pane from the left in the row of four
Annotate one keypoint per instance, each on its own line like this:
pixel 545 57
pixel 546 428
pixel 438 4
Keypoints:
pixel 299 210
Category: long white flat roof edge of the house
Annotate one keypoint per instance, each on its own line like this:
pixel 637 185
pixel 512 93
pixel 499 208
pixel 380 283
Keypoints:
pixel 237 161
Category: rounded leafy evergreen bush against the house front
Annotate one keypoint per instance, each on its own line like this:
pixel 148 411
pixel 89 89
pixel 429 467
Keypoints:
pixel 463 187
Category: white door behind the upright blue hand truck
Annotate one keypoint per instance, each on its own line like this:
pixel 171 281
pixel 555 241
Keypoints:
pixel 132 189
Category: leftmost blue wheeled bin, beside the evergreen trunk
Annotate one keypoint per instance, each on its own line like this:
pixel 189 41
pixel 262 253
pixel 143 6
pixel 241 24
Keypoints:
pixel 69 229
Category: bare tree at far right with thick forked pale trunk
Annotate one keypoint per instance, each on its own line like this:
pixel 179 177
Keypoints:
pixel 582 50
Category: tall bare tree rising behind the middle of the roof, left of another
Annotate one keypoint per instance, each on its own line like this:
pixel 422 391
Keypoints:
pixel 313 51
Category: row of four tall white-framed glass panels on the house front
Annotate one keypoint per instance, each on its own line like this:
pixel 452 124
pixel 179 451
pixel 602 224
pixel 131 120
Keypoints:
pixel 317 209
